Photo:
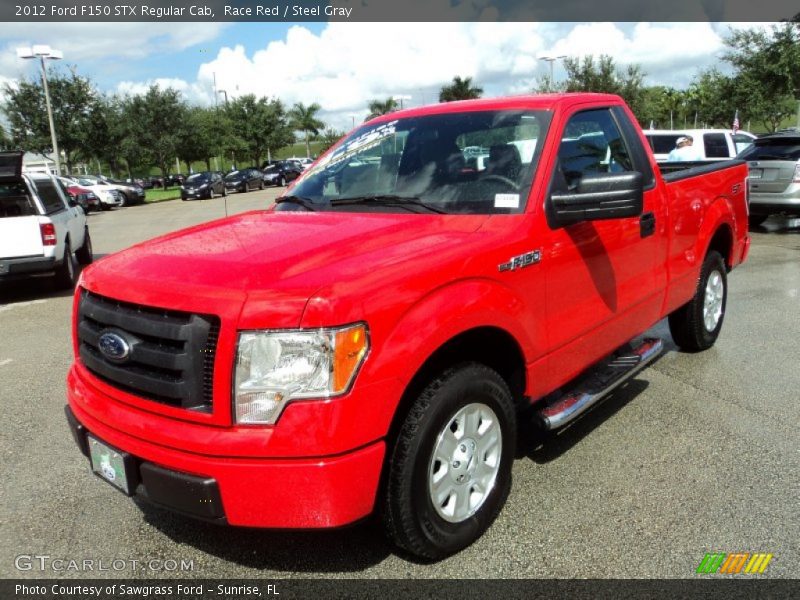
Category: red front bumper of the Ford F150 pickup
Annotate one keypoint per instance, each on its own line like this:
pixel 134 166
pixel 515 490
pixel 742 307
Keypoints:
pixel 303 493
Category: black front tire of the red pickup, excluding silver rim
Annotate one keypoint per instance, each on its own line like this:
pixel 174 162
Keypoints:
pixel 409 516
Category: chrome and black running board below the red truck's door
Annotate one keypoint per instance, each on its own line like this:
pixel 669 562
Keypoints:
pixel 597 382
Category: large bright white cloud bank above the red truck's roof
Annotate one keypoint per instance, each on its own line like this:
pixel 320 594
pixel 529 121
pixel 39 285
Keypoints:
pixel 348 64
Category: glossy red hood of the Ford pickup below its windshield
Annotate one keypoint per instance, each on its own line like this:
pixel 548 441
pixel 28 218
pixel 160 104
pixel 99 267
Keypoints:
pixel 275 261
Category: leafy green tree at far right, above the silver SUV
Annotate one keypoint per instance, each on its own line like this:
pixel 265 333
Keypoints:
pixel 767 66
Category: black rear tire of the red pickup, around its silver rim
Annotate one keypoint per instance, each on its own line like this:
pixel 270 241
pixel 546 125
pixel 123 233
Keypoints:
pixel 687 324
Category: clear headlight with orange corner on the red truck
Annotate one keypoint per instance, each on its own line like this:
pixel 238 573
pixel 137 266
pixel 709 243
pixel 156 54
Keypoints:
pixel 274 368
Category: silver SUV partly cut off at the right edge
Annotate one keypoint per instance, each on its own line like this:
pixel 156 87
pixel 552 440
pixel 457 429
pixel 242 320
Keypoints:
pixel 774 180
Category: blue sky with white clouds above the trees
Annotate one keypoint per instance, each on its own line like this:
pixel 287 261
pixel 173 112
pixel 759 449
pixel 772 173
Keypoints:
pixel 342 66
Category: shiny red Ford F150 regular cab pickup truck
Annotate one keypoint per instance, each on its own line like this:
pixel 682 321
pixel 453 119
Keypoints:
pixel 373 341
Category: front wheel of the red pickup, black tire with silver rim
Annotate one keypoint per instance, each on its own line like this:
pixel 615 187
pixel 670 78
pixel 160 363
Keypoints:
pixel 449 471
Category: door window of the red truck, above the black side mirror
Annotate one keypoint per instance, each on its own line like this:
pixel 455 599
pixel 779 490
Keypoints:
pixel 592 144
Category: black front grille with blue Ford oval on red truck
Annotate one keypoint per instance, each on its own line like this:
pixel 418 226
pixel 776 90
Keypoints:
pixel 161 355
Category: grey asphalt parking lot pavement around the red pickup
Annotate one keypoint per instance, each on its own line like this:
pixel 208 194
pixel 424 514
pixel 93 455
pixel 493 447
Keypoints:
pixel 699 453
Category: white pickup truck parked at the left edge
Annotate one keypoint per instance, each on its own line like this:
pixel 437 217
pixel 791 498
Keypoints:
pixel 42 231
